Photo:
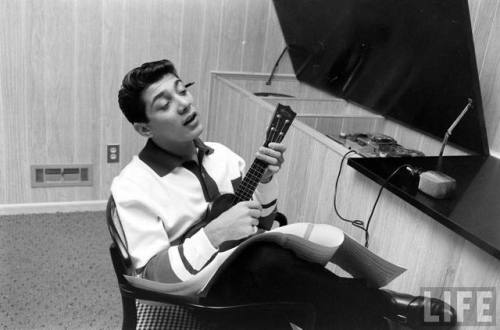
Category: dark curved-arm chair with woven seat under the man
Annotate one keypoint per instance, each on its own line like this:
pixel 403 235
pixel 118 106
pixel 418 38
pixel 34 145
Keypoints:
pixel 178 305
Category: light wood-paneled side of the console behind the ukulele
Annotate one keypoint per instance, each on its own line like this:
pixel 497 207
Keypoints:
pixel 433 255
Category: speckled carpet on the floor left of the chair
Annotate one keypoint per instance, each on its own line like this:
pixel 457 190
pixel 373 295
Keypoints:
pixel 56 273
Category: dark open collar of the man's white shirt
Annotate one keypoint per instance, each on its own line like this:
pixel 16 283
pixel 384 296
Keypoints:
pixel 163 161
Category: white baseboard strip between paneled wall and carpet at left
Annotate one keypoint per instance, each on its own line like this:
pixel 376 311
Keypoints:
pixel 65 207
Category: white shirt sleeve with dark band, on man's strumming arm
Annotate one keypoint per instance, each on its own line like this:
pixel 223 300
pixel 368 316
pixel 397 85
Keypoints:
pixel 145 236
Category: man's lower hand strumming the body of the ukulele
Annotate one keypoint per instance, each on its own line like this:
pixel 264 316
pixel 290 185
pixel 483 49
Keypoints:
pixel 236 223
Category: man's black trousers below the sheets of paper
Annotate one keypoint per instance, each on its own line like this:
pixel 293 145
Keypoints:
pixel 269 272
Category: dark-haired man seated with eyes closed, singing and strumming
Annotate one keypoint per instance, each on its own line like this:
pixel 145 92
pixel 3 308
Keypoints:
pixel 168 188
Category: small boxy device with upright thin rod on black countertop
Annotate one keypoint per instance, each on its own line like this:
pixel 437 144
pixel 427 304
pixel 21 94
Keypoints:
pixel 435 183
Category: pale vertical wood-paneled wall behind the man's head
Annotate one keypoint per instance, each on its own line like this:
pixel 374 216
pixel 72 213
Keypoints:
pixel 61 64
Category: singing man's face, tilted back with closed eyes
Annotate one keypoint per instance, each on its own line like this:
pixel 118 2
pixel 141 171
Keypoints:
pixel 172 117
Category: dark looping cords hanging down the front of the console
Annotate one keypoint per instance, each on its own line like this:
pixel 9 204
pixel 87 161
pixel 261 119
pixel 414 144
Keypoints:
pixel 359 223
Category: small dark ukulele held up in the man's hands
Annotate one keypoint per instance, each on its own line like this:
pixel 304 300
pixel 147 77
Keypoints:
pixel 280 122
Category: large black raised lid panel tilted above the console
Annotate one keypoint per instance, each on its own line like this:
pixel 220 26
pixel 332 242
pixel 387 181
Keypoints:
pixel 409 60
